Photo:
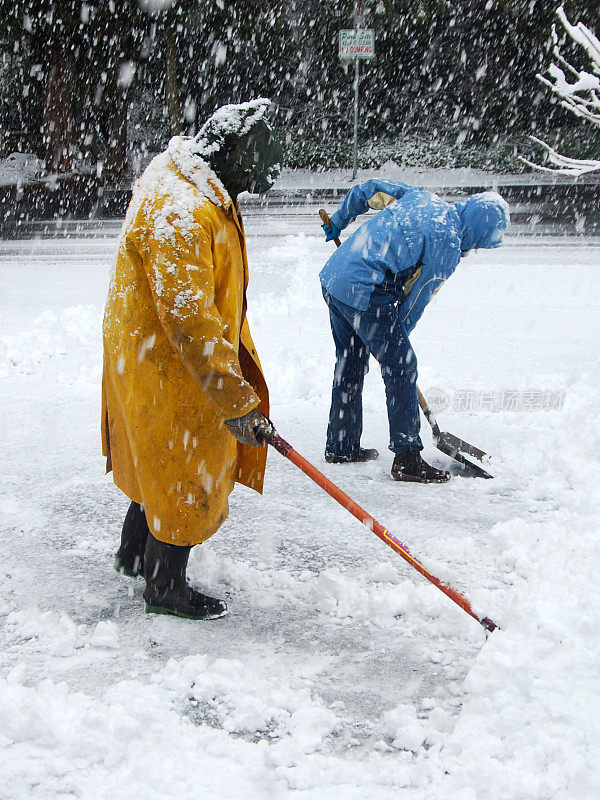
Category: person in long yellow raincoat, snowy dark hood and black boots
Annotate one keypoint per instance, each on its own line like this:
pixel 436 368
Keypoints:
pixel 183 395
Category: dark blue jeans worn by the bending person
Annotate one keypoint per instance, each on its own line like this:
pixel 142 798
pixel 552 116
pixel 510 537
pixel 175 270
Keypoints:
pixel 380 332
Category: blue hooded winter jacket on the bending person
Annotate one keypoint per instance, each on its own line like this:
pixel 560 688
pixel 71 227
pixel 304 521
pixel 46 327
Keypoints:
pixel 417 236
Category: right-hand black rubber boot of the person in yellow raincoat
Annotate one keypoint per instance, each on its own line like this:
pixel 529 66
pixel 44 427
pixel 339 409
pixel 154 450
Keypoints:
pixel 167 591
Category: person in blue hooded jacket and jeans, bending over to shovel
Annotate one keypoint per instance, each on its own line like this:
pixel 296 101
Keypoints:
pixel 377 285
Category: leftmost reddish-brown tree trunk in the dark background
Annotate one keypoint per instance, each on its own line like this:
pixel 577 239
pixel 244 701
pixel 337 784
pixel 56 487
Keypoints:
pixel 57 127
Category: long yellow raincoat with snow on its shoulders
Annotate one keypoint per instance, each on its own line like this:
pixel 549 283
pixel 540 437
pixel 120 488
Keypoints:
pixel 178 356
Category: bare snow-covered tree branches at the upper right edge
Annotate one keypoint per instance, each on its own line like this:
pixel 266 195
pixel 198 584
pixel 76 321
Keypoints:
pixel 578 91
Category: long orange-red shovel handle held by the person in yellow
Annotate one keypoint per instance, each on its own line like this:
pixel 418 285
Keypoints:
pixel 272 437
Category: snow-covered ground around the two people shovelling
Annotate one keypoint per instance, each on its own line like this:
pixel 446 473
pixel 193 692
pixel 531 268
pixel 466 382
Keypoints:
pixel 340 672
